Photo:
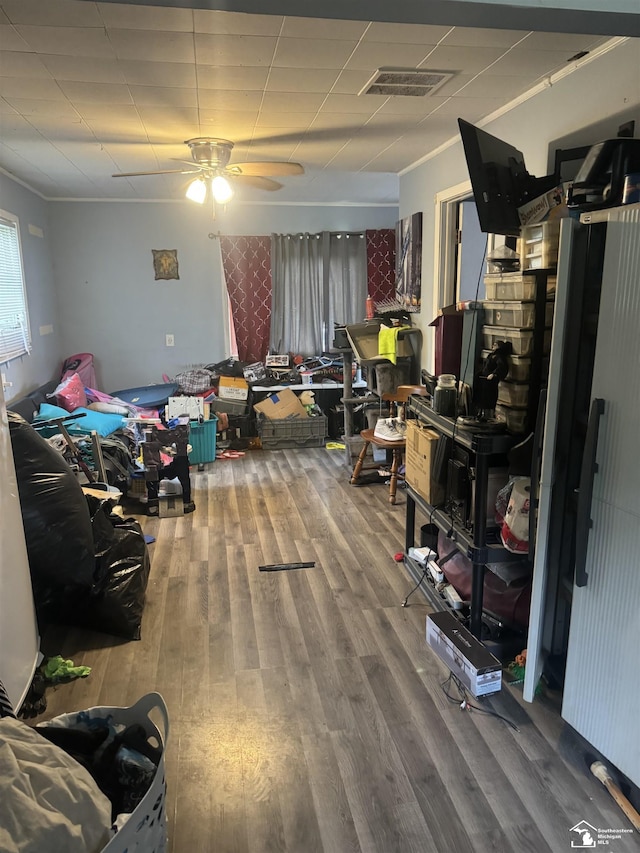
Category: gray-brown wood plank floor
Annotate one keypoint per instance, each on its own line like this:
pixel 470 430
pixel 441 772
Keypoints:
pixel 307 712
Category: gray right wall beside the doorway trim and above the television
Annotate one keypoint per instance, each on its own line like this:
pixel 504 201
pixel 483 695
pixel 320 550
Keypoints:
pixel 606 90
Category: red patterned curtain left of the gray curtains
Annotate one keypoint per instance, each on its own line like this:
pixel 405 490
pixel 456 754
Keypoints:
pixel 247 271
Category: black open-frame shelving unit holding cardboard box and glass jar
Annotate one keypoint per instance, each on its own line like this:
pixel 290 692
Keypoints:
pixel 474 542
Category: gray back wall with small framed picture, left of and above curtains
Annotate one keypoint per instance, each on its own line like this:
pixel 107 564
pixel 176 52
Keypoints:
pixel 111 305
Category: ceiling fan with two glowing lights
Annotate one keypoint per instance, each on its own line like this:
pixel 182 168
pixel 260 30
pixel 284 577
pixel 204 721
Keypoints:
pixel 210 162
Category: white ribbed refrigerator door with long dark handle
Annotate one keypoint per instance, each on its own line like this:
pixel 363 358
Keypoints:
pixel 601 684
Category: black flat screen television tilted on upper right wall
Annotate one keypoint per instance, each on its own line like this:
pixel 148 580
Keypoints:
pixel 499 179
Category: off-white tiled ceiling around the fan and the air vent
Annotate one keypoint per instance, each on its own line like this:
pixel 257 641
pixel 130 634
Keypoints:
pixel 88 89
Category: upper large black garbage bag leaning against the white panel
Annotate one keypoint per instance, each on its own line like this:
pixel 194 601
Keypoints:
pixel 56 519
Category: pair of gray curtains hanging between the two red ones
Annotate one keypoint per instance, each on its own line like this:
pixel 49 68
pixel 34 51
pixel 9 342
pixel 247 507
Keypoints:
pixel 317 280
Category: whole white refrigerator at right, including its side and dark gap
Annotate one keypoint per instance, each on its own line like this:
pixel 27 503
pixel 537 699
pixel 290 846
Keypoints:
pixel 585 609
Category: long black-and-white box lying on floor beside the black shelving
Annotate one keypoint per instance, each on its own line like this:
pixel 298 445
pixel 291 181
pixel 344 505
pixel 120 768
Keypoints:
pixel 466 657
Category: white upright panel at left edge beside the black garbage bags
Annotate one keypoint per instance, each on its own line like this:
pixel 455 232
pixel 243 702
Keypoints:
pixel 19 640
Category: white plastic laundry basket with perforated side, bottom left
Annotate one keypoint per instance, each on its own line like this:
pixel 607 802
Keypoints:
pixel 146 829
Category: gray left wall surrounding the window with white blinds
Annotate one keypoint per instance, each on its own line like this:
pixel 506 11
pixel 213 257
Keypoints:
pixel 45 361
